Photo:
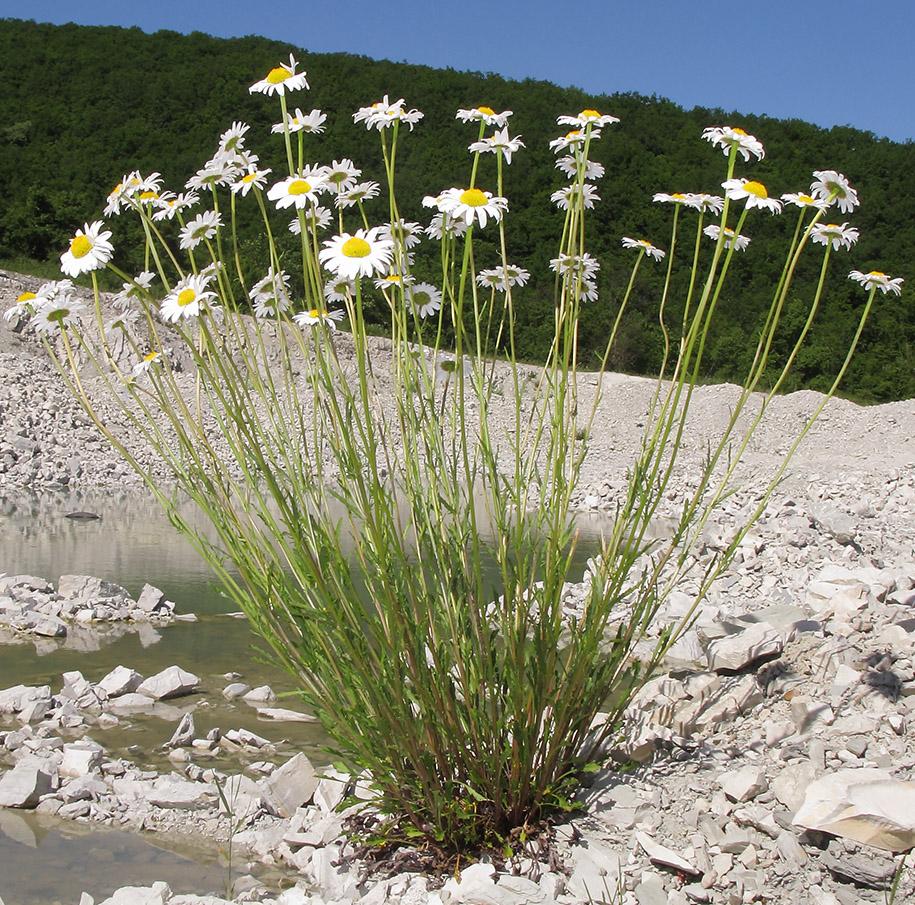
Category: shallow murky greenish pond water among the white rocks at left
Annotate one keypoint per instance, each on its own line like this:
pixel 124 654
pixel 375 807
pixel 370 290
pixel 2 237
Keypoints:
pixel 132 543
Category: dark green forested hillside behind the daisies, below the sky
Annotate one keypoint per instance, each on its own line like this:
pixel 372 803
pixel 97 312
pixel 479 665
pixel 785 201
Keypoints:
pixel 81 106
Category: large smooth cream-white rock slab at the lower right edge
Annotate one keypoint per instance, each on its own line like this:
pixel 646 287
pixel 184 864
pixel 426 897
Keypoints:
pixel 866 805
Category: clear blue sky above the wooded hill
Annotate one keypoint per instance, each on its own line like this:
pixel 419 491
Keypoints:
pixel 830 62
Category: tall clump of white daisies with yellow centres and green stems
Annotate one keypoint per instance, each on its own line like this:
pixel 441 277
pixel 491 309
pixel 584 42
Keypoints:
pixel 405 556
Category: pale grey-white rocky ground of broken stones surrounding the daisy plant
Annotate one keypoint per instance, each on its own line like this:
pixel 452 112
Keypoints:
pixel 772 761
